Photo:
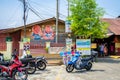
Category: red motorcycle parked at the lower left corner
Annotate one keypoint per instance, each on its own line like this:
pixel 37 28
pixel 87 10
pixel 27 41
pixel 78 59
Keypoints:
pixel 12 69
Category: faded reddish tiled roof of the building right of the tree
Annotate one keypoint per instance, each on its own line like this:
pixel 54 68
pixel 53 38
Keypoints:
pixel 114 25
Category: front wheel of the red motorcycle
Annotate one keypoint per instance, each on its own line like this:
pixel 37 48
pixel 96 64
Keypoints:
pixel 19 75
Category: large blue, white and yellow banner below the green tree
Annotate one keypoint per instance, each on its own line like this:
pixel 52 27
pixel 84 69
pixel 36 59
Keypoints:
pixel 83 46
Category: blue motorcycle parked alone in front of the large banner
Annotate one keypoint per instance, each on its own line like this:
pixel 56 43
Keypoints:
pixel 79 63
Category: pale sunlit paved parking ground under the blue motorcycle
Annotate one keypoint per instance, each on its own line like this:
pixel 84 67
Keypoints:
pixel 104 69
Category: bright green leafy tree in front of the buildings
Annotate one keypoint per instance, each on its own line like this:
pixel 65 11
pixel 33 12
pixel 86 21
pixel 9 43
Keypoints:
pixel 85 16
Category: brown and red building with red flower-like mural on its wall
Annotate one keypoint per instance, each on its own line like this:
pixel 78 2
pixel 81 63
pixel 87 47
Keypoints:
pixel 16 35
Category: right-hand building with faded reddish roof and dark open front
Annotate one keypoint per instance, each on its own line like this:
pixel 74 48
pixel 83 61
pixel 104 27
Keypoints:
pixel 113 39
